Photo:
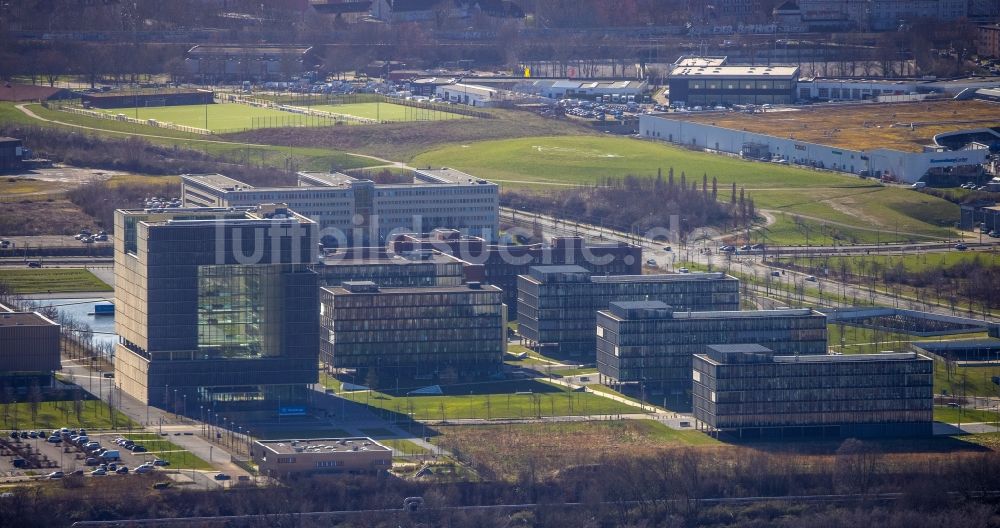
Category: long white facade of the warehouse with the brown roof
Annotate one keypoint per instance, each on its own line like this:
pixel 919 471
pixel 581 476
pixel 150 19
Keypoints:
pixel 908 167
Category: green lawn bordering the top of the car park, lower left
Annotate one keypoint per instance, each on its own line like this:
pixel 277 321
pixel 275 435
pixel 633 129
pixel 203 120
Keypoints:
pixel 94 415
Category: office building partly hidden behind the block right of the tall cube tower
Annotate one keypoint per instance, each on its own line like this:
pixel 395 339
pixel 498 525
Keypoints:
pixel 409 269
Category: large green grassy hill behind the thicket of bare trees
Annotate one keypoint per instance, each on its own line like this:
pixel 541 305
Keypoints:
pixel 553 163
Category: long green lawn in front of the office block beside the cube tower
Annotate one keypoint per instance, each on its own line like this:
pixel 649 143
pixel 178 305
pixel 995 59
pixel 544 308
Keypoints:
pixel 504 399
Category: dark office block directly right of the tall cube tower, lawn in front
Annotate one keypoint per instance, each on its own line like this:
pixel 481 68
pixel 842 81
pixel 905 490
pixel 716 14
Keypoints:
pixel 413 333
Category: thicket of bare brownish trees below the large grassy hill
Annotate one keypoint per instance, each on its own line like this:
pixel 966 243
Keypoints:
pixel 639 204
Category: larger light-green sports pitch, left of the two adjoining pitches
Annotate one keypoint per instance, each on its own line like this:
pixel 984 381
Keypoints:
pixel 221 117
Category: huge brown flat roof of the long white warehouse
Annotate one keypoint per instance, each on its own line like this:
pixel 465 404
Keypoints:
pixel 862 126
